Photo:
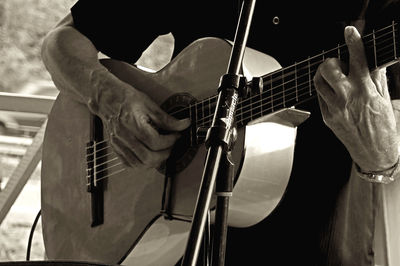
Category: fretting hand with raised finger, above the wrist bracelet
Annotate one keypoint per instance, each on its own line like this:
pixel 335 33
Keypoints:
pixel 355 104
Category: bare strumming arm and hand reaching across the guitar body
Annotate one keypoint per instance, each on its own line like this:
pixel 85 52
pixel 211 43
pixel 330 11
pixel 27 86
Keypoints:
pixel 131 118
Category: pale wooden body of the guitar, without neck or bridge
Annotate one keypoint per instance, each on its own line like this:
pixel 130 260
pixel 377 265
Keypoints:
pixel 133 198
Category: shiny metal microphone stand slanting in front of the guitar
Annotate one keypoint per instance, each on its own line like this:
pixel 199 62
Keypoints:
pixel 219 142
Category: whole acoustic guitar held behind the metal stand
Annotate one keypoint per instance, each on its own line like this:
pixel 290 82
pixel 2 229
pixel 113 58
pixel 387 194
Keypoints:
pixel 94 208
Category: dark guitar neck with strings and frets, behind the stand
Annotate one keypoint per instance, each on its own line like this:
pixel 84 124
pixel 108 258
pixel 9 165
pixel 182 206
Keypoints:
pixel 293 85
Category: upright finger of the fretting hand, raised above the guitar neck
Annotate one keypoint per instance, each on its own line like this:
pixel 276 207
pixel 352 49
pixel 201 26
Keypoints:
pixel 358 65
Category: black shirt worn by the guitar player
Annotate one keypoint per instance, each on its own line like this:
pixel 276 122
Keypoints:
pixel 300 229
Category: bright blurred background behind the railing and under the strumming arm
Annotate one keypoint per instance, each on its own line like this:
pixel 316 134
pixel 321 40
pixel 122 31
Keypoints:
pixel 23 25
